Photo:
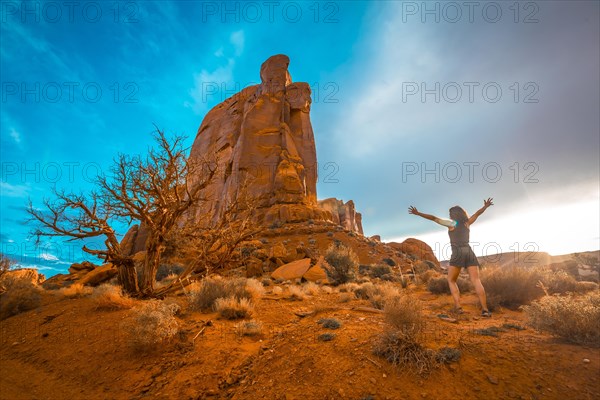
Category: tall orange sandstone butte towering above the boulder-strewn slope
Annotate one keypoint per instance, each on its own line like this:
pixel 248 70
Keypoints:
pixel 263 143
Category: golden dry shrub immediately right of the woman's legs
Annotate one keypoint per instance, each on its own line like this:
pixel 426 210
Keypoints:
pixel 512 287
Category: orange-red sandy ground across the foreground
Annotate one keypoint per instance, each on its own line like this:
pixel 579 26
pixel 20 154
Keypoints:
pixel 67 349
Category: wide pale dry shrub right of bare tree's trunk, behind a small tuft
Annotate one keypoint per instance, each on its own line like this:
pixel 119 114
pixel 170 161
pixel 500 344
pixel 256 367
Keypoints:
pixel 204 295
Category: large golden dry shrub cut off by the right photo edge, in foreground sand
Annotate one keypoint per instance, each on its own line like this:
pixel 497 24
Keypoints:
pixel 573 319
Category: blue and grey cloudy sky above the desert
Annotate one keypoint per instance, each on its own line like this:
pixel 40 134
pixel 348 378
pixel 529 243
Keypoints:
pixel 427 104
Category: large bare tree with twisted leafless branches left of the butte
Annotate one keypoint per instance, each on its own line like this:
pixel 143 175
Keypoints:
pixel 155 189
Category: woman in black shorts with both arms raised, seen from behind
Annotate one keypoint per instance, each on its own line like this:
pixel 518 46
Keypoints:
pixel 462 254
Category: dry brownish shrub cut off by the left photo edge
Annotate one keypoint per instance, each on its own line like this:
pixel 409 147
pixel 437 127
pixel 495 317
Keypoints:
pixel 20 295
